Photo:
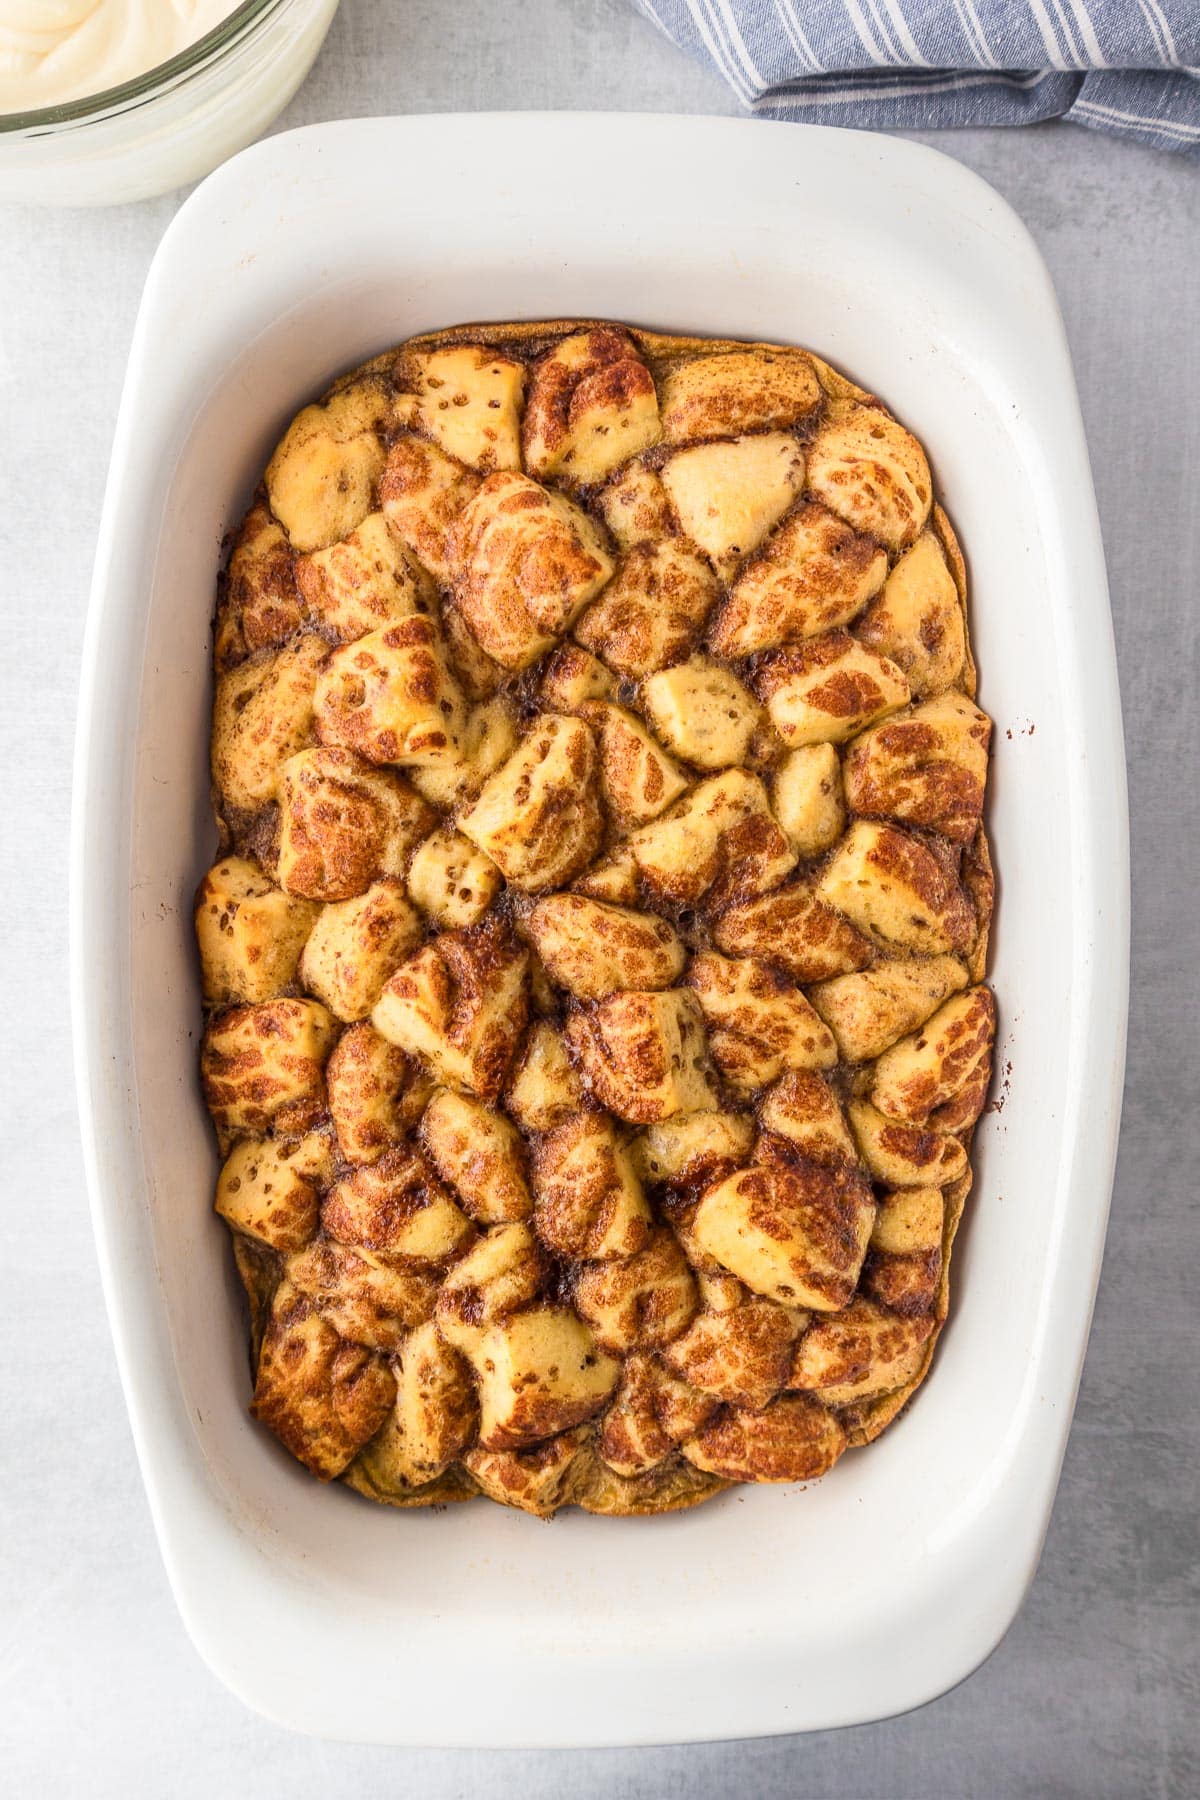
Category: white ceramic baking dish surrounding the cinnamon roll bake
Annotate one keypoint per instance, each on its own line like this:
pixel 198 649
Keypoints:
pixel 769 1610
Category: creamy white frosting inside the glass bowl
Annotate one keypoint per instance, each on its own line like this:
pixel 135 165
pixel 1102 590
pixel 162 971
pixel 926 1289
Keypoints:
pixel 55 51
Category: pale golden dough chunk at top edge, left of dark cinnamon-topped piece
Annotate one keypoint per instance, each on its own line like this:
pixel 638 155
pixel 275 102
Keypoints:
pixel 469 400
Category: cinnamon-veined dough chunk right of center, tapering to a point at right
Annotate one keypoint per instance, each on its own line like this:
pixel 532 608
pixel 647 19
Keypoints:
pixel 758 1021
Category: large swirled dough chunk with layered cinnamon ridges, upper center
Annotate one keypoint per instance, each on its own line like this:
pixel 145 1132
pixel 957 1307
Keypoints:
pixel 526 562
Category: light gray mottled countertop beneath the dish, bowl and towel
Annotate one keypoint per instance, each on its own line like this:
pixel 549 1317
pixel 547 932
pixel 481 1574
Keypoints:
pixel 1097 1689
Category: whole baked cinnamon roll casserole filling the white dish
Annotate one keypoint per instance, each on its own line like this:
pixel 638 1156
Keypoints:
pixel 595 960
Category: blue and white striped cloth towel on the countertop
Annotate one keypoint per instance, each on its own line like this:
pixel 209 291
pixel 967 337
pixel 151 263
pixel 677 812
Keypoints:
pixel 1116 66
